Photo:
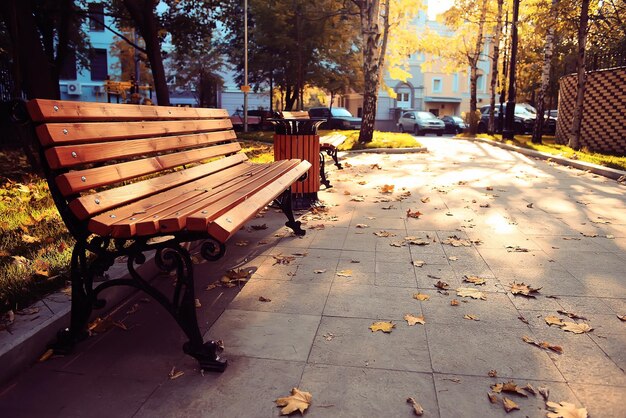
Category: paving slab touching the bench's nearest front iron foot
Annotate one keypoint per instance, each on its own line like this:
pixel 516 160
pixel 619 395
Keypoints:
pixel 265 334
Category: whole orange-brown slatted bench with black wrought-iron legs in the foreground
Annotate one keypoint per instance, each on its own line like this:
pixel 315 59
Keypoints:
pixel 128 179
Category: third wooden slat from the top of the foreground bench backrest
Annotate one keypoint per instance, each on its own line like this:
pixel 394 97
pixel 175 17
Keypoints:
pixel 73 155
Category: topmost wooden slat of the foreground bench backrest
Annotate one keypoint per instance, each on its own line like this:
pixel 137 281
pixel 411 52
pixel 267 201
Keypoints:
pixel 42 110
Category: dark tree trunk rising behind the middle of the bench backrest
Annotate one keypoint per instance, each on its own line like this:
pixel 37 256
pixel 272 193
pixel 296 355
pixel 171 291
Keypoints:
pixel 143 14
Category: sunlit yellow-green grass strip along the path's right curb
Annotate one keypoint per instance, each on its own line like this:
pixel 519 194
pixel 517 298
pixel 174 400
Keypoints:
pixel 549 146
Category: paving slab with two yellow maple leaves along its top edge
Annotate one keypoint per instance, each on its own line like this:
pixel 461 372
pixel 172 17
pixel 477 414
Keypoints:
pixel 354 344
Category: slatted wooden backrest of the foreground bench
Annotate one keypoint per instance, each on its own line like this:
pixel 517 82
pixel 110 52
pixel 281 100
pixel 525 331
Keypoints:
pixel 99 156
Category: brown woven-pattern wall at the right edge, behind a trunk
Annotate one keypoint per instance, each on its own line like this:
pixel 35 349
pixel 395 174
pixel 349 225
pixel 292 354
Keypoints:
pixel 604 111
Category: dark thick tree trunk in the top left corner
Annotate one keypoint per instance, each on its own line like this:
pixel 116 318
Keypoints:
pixel 38 76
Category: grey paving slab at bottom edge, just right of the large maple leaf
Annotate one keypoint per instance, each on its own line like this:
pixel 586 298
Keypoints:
pixel 378 393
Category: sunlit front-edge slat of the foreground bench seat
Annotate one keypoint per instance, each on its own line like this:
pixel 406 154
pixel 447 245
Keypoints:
pixel 223 227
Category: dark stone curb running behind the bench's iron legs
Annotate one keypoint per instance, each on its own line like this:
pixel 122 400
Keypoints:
pixel 30 334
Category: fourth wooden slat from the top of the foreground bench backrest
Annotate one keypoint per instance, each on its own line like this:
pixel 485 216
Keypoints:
pixel 78 181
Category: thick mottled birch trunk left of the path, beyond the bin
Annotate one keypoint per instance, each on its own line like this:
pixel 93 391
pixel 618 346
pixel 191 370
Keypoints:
pixel 370 29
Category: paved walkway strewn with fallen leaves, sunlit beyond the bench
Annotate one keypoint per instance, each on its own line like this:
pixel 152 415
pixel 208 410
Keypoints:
pixel 513 219
